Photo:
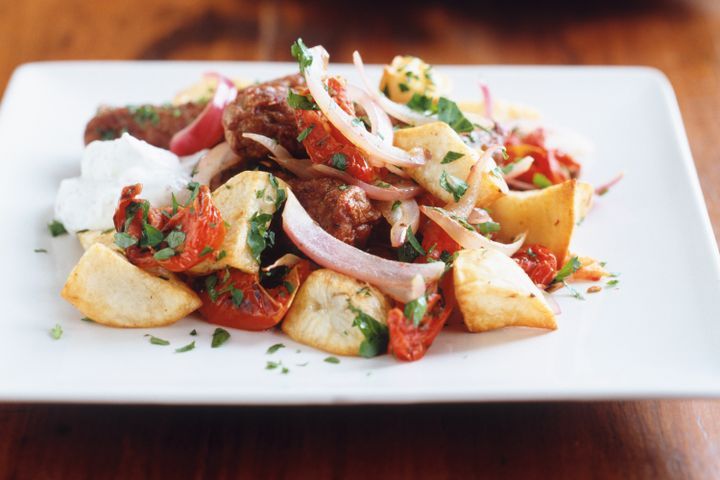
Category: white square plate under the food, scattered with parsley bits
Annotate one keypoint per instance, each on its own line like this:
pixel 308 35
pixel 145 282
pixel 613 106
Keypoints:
pixel 657 335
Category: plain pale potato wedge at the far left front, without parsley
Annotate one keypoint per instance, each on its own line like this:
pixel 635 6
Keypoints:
pixel 106 287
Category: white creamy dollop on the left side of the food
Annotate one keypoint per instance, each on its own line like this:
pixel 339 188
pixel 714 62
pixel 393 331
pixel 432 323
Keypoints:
pixel 89 201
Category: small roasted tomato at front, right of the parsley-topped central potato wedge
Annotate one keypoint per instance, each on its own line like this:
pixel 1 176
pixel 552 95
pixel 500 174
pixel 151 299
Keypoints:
pixel 408 341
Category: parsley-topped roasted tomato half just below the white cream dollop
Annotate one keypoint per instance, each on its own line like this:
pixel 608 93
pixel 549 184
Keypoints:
pixel 174 238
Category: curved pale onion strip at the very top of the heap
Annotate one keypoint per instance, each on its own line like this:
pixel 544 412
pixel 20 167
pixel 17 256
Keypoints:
pixel 356 133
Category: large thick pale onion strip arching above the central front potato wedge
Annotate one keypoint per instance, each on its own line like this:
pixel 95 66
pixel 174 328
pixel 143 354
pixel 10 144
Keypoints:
pixel 402 281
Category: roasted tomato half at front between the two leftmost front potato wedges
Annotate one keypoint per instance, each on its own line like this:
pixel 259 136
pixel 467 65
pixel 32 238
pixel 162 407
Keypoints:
pixel 236 299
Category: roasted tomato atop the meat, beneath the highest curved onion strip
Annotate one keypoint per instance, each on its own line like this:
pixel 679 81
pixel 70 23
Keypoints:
pixel 325 144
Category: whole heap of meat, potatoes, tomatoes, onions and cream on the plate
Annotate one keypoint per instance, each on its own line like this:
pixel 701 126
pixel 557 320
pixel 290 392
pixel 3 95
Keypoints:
pixel 359 219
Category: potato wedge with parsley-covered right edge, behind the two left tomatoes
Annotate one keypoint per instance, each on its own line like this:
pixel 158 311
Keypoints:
pixel 241 197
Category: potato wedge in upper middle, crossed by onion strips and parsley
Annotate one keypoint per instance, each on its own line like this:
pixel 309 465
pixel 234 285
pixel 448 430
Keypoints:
pixel 437 139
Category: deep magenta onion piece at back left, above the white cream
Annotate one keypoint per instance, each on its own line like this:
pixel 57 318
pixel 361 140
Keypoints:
pixel 206 130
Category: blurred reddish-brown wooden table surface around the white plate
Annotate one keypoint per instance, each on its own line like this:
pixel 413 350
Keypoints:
pixel 649 439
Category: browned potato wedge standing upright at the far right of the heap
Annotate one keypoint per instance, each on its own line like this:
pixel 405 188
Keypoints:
pixel 548 216
